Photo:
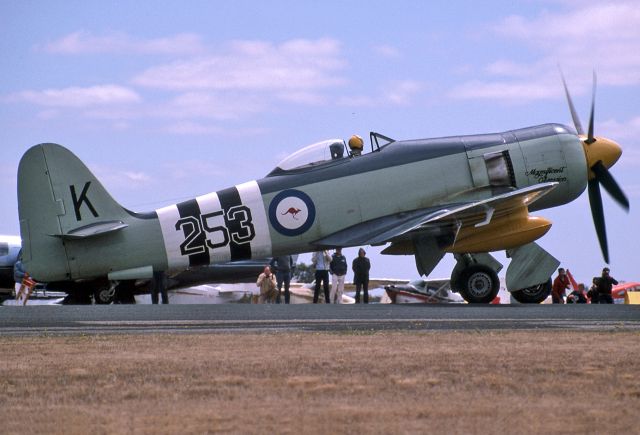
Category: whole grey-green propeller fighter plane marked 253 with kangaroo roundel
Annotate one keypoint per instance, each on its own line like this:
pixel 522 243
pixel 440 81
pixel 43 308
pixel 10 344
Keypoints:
pixel 466 195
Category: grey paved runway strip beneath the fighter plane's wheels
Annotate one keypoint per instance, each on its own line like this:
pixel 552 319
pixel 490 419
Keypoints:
pixel 121 319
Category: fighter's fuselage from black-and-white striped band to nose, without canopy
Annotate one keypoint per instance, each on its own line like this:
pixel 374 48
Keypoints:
pixel 287 211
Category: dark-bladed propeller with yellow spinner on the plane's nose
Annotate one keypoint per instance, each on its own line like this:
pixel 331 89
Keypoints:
pixel 601 154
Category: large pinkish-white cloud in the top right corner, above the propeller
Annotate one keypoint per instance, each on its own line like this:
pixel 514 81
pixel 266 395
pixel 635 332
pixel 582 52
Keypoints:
pixel 604 36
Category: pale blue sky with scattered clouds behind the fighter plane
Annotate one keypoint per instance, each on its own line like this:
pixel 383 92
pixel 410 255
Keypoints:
pixel 168 100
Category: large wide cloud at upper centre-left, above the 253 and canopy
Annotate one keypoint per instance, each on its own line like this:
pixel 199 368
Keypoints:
pixel 295 65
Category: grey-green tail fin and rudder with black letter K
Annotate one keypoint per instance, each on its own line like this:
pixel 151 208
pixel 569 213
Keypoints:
pixel 59 199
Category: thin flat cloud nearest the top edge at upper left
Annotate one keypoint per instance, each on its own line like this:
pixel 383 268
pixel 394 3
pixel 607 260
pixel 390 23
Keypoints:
pixel 120 43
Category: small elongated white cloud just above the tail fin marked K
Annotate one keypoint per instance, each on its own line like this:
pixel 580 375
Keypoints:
pixel 80 97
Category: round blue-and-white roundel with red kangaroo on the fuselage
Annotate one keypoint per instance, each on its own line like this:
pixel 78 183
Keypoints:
pixel 292 212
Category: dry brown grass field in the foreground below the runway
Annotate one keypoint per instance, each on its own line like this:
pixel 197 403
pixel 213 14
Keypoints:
pixel 384 382
